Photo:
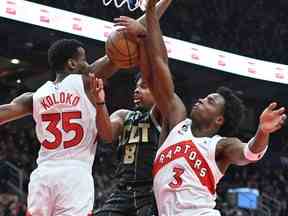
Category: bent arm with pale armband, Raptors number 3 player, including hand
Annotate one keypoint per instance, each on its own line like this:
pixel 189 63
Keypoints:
pixel 240 153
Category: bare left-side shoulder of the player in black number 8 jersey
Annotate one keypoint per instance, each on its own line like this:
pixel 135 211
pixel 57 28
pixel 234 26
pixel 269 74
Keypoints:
pixel 117 121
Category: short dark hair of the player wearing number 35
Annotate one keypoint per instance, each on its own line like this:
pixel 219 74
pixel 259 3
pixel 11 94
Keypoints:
pixel 60 51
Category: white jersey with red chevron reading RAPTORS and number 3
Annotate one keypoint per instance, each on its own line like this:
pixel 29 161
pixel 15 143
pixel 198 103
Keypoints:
pixel 186 174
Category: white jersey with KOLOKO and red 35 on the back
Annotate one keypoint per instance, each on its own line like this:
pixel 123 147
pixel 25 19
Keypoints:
pixel 65 121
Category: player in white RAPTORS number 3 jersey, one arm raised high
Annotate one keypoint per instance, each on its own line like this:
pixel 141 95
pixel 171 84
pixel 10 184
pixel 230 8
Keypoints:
pixel 195 152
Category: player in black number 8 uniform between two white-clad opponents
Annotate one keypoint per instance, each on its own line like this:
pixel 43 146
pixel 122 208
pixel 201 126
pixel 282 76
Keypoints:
pixel 139 132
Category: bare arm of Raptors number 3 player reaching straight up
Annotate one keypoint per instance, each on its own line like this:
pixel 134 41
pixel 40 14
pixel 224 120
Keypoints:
pixel 157 73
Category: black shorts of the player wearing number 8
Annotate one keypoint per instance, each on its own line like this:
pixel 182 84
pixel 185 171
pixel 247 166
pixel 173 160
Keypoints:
pixel 129 201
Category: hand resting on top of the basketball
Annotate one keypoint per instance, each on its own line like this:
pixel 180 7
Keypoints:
pixel 130 26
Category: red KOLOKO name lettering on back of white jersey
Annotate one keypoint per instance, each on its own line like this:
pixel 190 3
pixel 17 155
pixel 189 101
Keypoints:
pixel 61 98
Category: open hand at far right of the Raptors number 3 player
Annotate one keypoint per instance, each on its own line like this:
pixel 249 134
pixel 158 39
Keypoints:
pixel 272 119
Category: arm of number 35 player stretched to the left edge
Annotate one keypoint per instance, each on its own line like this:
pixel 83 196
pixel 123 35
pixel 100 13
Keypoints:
pixel 19 107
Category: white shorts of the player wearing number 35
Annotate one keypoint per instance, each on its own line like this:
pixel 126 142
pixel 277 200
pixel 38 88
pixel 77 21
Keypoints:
pixel 63 188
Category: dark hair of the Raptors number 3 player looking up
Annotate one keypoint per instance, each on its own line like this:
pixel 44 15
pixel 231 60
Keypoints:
pixel 233 112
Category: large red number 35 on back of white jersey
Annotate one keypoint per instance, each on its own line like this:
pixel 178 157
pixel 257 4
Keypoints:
pixel 54 119
